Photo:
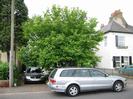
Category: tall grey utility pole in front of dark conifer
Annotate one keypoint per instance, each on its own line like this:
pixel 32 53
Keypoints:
pixel 11 62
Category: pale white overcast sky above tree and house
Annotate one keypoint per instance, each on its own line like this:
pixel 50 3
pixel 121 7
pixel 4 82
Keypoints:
pixel 100 9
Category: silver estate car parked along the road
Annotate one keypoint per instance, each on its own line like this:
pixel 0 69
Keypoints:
pixel 72 81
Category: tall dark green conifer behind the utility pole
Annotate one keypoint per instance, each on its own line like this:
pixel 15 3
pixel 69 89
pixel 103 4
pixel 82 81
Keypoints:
pixel 21 15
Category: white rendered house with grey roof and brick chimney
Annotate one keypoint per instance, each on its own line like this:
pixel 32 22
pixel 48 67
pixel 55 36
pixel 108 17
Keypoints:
pixel 116 49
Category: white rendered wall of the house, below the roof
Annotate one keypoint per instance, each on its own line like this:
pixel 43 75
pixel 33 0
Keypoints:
pixel 107 52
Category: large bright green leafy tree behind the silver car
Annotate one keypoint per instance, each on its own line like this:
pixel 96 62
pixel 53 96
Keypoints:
pixel 62 37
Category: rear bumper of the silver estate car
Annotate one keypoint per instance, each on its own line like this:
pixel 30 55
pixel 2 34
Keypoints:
pixel 56 88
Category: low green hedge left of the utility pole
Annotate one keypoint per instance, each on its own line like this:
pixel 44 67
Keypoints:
pixel 4 71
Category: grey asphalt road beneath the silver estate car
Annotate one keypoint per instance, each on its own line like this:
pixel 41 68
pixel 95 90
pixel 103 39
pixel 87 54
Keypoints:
pixel 102 94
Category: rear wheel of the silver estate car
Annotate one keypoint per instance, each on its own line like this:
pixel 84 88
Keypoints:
pixel 72 90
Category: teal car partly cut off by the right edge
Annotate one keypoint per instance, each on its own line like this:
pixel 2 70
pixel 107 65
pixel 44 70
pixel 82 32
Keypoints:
pixel 127 70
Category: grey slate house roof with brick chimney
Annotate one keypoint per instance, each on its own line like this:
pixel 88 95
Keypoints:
pixel 117 26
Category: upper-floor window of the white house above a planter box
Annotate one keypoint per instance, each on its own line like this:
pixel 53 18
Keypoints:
pixel 120 41
